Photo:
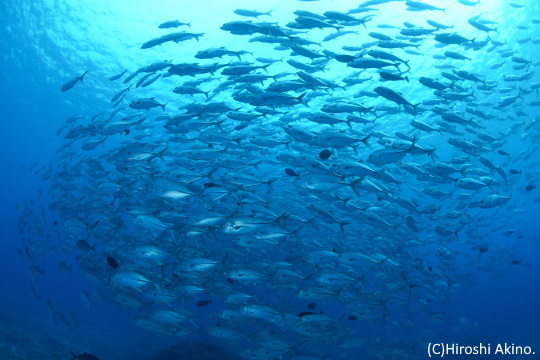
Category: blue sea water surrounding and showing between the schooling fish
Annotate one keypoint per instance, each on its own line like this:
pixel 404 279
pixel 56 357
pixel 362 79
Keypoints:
pixel 483 296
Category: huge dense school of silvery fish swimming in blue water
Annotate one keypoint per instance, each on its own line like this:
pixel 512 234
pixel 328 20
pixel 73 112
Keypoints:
pixel 294 207
